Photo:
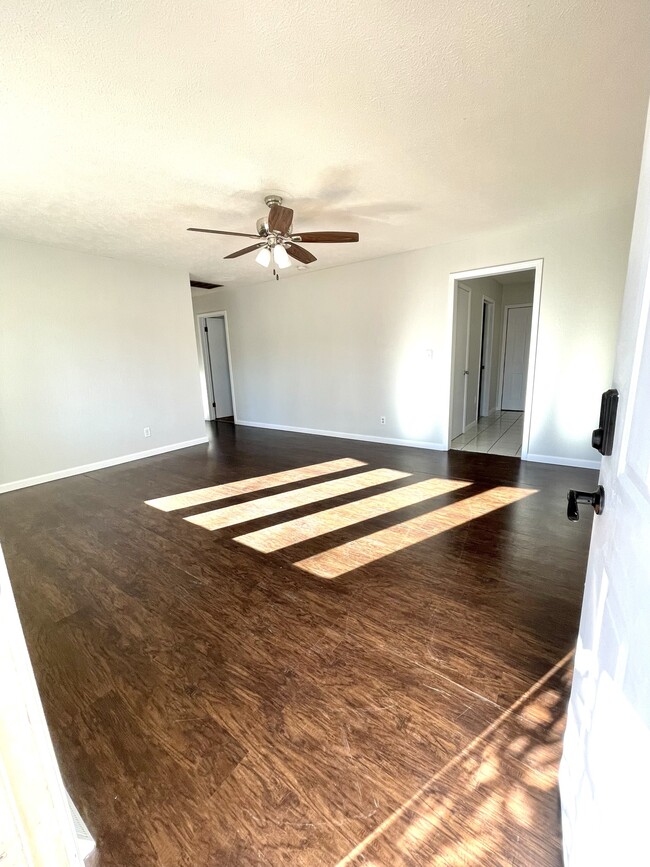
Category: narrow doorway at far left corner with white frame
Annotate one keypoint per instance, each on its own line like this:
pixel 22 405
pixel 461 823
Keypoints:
pixel 217 369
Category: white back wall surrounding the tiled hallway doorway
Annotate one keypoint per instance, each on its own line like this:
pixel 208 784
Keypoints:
pixel 335 349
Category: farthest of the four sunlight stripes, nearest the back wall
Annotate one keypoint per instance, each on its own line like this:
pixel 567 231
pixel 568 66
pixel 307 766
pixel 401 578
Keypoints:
pixel 248 486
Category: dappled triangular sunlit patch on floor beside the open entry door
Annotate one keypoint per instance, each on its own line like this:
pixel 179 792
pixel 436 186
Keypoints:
pixel 488 799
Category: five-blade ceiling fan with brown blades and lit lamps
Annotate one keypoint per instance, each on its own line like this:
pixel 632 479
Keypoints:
pixel 276 241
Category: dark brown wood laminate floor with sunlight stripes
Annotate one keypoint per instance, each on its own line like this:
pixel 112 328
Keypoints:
pixel 212 703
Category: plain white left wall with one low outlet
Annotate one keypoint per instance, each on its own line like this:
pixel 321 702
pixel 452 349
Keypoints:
pixel 92 350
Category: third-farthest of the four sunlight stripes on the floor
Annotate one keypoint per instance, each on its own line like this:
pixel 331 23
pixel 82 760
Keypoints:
pixel 300 529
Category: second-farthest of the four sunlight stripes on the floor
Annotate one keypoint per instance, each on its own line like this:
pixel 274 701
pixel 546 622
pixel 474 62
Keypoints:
pixel 218 518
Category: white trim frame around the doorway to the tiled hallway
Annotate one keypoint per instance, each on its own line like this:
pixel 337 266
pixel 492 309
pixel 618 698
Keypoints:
pixel 493 271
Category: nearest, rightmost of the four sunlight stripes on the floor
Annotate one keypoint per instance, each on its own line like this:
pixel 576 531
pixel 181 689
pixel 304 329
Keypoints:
pixel 344 558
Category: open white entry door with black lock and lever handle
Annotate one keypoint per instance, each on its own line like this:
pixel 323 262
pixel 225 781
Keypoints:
pixel 605 769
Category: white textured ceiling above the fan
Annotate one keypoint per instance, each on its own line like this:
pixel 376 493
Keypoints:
pixel 414 122
